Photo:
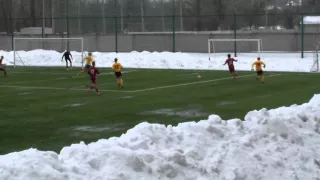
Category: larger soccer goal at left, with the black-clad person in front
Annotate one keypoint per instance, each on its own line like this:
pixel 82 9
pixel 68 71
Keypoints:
pixel 46 51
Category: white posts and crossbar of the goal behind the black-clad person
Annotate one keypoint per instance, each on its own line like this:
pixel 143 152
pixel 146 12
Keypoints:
pixel 44 39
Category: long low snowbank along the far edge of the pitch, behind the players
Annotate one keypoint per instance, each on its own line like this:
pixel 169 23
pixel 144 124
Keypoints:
pixel 167 60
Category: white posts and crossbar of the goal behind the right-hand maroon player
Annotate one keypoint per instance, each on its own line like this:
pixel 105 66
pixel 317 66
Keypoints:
pixel 211 41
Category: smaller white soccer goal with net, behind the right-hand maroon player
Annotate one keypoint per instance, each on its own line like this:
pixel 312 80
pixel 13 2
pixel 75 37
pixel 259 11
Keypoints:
pixel 238 47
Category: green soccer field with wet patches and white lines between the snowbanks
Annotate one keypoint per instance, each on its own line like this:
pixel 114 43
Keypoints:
pixel 45 108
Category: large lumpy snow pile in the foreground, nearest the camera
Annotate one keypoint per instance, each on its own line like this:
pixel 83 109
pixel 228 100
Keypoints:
pixel 277 144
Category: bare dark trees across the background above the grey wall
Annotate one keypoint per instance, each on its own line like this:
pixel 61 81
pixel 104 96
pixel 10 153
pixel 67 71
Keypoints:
pixel 108 16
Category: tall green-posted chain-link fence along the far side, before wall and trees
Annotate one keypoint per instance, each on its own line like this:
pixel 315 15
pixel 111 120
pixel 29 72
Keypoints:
pixel 162 25
